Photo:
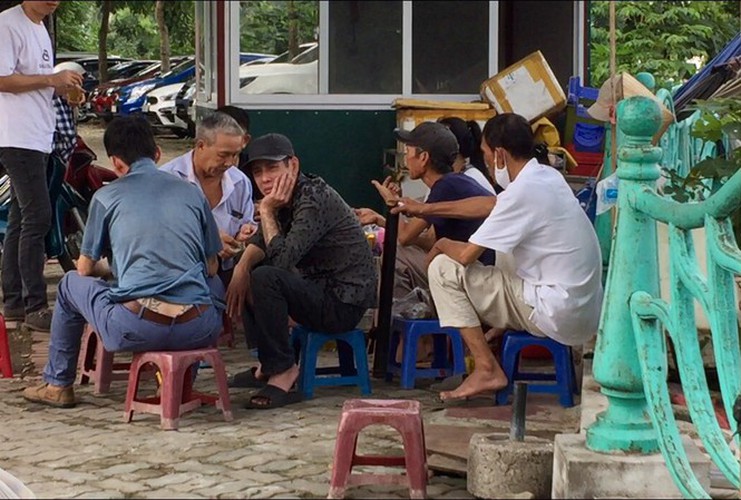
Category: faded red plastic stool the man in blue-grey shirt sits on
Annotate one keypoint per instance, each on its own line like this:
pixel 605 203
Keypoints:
pixel 177 395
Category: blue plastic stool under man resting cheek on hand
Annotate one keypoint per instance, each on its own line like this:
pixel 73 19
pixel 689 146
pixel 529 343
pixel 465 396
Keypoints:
pixel 307 344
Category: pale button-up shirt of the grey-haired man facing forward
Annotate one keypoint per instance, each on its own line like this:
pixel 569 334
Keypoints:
pixel 235 207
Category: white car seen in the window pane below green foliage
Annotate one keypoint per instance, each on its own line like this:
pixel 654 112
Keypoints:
pixel 299 76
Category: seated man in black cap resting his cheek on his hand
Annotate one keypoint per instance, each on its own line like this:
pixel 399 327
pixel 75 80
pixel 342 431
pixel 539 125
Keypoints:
pixel 315 266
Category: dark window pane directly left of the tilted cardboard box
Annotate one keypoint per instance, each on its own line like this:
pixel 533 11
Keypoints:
pixel 450 47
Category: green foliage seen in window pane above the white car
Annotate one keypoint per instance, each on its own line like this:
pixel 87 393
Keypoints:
pixel 264 24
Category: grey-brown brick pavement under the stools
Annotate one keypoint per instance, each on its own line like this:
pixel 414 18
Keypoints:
pixel 89 452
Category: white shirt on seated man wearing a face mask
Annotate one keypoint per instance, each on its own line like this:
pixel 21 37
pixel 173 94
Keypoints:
pixel 555 248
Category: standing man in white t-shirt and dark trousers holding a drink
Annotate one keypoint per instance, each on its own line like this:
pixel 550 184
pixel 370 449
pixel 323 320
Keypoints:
pixel 27 123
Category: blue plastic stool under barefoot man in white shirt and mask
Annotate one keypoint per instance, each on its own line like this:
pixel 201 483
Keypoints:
pixel 564 376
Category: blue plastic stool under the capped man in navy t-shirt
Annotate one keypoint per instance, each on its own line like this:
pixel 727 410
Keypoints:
pixel 412 330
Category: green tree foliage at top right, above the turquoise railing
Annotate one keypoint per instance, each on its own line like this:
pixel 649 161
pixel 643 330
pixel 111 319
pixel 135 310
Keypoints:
pixel 659 37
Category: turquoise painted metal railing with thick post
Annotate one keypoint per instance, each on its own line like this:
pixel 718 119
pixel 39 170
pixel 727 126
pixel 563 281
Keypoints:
pixel 630 361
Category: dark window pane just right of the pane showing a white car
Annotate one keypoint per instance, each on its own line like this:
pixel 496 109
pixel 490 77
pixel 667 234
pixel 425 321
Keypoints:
pixel 365 47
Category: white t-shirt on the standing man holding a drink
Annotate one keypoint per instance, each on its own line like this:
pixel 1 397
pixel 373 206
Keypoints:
pixel 27 119
